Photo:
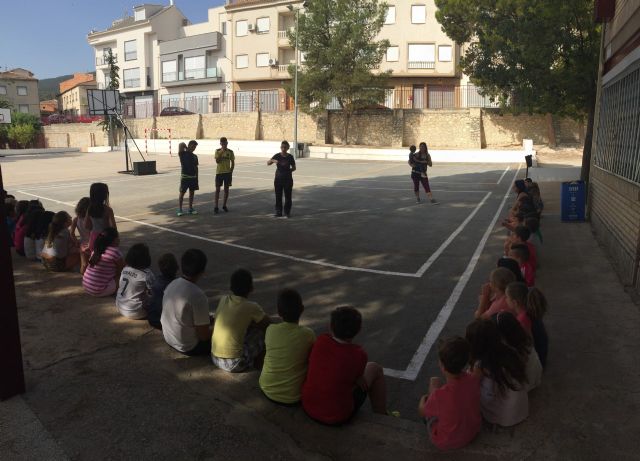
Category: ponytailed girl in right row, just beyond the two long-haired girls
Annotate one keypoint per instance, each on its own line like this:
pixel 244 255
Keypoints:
pixel 531 305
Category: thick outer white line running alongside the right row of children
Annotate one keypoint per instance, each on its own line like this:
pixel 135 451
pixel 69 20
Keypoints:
pixel 418 359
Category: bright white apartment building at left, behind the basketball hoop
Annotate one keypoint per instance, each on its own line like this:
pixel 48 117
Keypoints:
pixel 134 41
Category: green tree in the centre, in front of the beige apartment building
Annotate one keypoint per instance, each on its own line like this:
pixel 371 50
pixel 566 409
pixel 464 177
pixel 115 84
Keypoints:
pixel 338 40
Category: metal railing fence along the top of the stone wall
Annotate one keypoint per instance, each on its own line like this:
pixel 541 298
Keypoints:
pixel 276 100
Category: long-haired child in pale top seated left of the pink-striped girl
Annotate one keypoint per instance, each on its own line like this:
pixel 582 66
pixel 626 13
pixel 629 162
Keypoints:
pixel 60 251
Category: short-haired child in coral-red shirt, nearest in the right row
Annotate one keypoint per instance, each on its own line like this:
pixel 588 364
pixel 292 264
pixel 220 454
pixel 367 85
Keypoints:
pixel 452 410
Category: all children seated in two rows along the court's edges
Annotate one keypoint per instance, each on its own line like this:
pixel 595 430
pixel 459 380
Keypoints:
pixel 488 373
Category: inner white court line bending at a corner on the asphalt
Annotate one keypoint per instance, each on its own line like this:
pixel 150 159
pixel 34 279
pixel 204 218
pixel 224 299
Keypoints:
pixel 416 274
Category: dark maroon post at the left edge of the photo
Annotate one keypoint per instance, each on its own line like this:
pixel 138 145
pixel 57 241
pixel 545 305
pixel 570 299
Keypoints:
pixel 11 368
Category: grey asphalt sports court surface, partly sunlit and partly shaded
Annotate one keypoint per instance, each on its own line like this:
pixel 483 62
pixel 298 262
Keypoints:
pixel 356 236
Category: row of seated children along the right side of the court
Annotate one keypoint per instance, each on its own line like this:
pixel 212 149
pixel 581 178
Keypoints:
pixel 490 372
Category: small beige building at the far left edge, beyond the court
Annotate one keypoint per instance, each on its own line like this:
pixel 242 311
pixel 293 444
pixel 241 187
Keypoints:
pixel 20 88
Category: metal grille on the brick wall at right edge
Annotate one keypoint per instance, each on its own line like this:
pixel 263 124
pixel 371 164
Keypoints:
pixel 618 137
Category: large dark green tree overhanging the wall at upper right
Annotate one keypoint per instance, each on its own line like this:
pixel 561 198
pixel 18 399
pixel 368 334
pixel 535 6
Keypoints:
pixel 540 56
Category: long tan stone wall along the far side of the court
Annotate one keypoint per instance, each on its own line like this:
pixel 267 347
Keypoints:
pixel 440 129
